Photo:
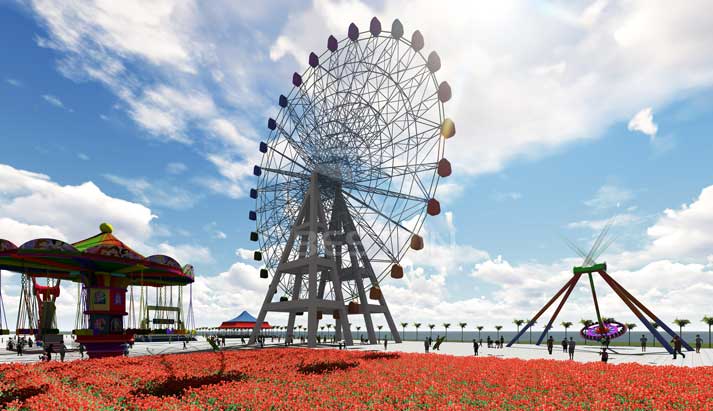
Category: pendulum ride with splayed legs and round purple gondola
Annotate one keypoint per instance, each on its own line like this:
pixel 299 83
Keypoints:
pixel 603 328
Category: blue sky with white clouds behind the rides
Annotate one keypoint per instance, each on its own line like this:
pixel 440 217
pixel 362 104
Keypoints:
pixel 163 107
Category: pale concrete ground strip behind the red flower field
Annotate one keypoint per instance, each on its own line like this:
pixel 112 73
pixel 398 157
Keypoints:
pixel 584 353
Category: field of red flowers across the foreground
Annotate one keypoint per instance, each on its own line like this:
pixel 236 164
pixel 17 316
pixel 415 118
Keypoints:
pixel 301 379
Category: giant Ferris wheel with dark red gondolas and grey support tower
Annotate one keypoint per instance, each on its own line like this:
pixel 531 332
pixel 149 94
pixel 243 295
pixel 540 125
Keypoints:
pixel 350 169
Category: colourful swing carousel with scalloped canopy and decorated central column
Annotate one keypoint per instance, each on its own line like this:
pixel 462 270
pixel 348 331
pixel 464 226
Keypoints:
pixel 105 267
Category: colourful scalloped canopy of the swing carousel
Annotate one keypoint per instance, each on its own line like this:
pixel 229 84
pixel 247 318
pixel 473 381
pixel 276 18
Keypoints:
pixel 102 253
